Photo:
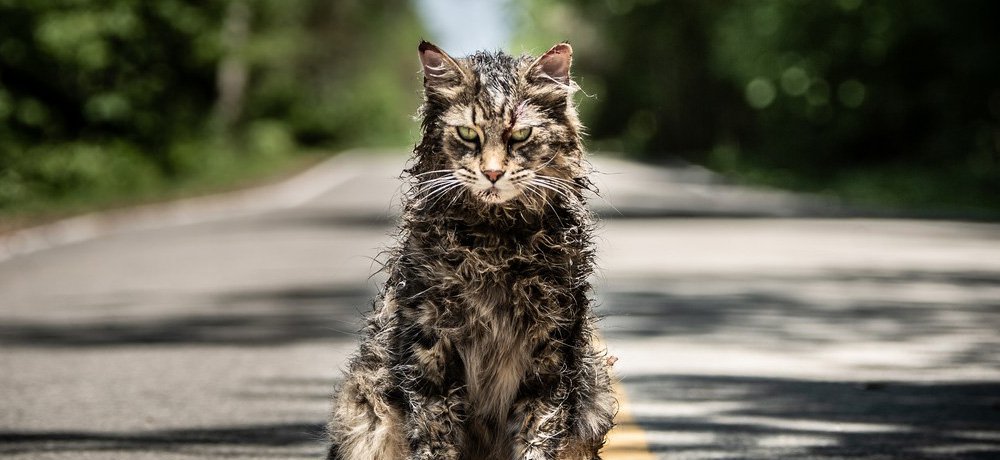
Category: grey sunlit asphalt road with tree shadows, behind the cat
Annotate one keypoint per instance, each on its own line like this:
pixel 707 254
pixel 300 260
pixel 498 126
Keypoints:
pixel 739 335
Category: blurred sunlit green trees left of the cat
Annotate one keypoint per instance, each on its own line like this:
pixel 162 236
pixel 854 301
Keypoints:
pixel 105 101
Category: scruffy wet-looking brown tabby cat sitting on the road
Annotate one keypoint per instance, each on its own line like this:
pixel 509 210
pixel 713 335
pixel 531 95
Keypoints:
pixel 481 344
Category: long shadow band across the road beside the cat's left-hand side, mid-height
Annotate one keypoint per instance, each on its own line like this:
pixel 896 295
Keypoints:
pixel 250 318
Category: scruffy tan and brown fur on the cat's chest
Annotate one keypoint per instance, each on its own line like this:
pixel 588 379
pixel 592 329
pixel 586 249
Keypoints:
pixel 499 286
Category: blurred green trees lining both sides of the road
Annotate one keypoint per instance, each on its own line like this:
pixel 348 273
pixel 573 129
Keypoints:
pixel 881 102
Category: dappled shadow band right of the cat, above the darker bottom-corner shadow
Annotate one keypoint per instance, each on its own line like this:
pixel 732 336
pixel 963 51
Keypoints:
pixel 815 310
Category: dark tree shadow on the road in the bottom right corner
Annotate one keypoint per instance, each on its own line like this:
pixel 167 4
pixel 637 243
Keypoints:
pixel 712 417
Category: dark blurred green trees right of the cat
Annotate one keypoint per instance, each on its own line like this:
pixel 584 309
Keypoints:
pixel 884 102
